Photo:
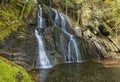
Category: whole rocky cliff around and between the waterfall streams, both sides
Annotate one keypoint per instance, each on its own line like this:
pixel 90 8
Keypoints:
pixel 93 36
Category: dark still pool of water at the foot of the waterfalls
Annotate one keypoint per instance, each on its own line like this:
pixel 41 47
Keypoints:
pixel 89 71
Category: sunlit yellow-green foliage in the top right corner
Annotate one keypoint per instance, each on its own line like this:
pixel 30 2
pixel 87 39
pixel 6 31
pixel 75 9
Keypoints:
pixel 113 11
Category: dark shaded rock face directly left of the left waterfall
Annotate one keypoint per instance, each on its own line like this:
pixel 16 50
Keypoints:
pixel 20 47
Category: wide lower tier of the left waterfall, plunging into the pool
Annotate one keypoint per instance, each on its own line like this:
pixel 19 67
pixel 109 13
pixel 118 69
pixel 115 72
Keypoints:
pixel 42 60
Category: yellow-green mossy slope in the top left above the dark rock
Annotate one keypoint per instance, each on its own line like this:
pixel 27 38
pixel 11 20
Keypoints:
pixel 11 16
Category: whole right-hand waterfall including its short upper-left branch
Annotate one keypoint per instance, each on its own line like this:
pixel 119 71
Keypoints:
pixel 76 57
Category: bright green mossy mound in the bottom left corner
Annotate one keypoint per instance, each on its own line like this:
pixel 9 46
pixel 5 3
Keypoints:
pixel 10 72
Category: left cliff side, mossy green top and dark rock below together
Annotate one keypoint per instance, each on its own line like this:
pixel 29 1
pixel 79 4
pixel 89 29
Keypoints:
pixel 17 26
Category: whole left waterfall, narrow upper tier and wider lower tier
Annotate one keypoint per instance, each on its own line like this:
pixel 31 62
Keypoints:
pixel 42 59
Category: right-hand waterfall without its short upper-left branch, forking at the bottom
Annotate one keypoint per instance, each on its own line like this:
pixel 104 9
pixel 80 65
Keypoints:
pixel 71 58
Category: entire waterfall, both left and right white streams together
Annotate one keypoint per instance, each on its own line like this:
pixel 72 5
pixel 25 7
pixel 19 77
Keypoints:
pixel 72 54
